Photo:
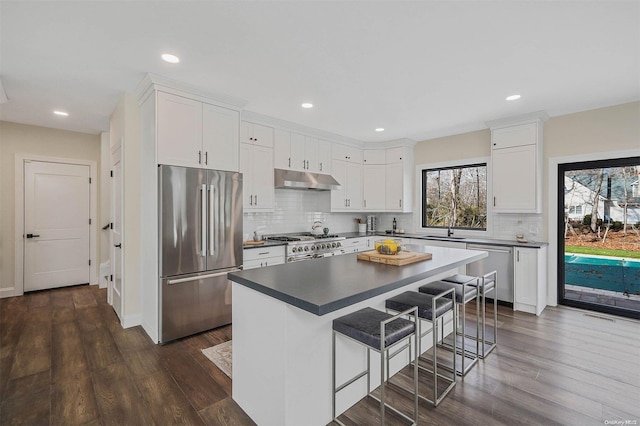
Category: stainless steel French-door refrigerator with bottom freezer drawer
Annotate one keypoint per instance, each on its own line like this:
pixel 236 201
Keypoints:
pixel 200 242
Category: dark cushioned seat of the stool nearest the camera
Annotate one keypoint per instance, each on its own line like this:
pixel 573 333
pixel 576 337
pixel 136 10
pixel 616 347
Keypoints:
pixel 364 326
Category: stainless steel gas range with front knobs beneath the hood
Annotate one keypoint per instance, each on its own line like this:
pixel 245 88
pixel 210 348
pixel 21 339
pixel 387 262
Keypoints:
pixel 308 246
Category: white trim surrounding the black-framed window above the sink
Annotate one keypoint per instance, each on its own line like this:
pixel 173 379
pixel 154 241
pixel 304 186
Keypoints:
pixel 461 232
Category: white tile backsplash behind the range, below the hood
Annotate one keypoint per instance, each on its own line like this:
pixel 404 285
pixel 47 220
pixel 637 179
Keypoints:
pixel 295 211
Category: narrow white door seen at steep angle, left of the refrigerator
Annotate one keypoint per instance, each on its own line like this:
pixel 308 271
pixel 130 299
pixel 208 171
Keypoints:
pixel 114 291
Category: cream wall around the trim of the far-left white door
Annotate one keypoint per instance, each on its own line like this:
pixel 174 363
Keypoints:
pixel 38 141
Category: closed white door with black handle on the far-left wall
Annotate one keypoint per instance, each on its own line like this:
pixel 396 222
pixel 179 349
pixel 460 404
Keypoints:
pixel 57 212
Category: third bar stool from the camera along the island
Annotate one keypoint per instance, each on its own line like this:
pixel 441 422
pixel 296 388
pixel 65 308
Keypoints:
pixel 464 293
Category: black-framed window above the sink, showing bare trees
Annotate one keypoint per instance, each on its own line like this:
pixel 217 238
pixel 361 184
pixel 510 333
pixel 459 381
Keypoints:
pixel 455 197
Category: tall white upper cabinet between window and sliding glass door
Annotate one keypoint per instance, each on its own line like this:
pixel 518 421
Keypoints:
pixel 516 165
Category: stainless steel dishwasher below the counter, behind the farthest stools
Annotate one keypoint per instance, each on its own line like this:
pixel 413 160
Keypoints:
pixel 500 259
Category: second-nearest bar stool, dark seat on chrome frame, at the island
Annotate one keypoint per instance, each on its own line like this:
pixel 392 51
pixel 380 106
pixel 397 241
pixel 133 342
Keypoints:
pixel 431 309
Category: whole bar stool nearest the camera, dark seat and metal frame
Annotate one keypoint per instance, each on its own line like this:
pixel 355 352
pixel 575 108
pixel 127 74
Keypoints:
pixel 381 332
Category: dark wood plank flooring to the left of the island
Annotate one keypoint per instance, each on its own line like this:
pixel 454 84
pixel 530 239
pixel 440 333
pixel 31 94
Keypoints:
pixel 65 360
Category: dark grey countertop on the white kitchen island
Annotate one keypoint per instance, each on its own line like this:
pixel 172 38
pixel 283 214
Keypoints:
pixel 325 285
